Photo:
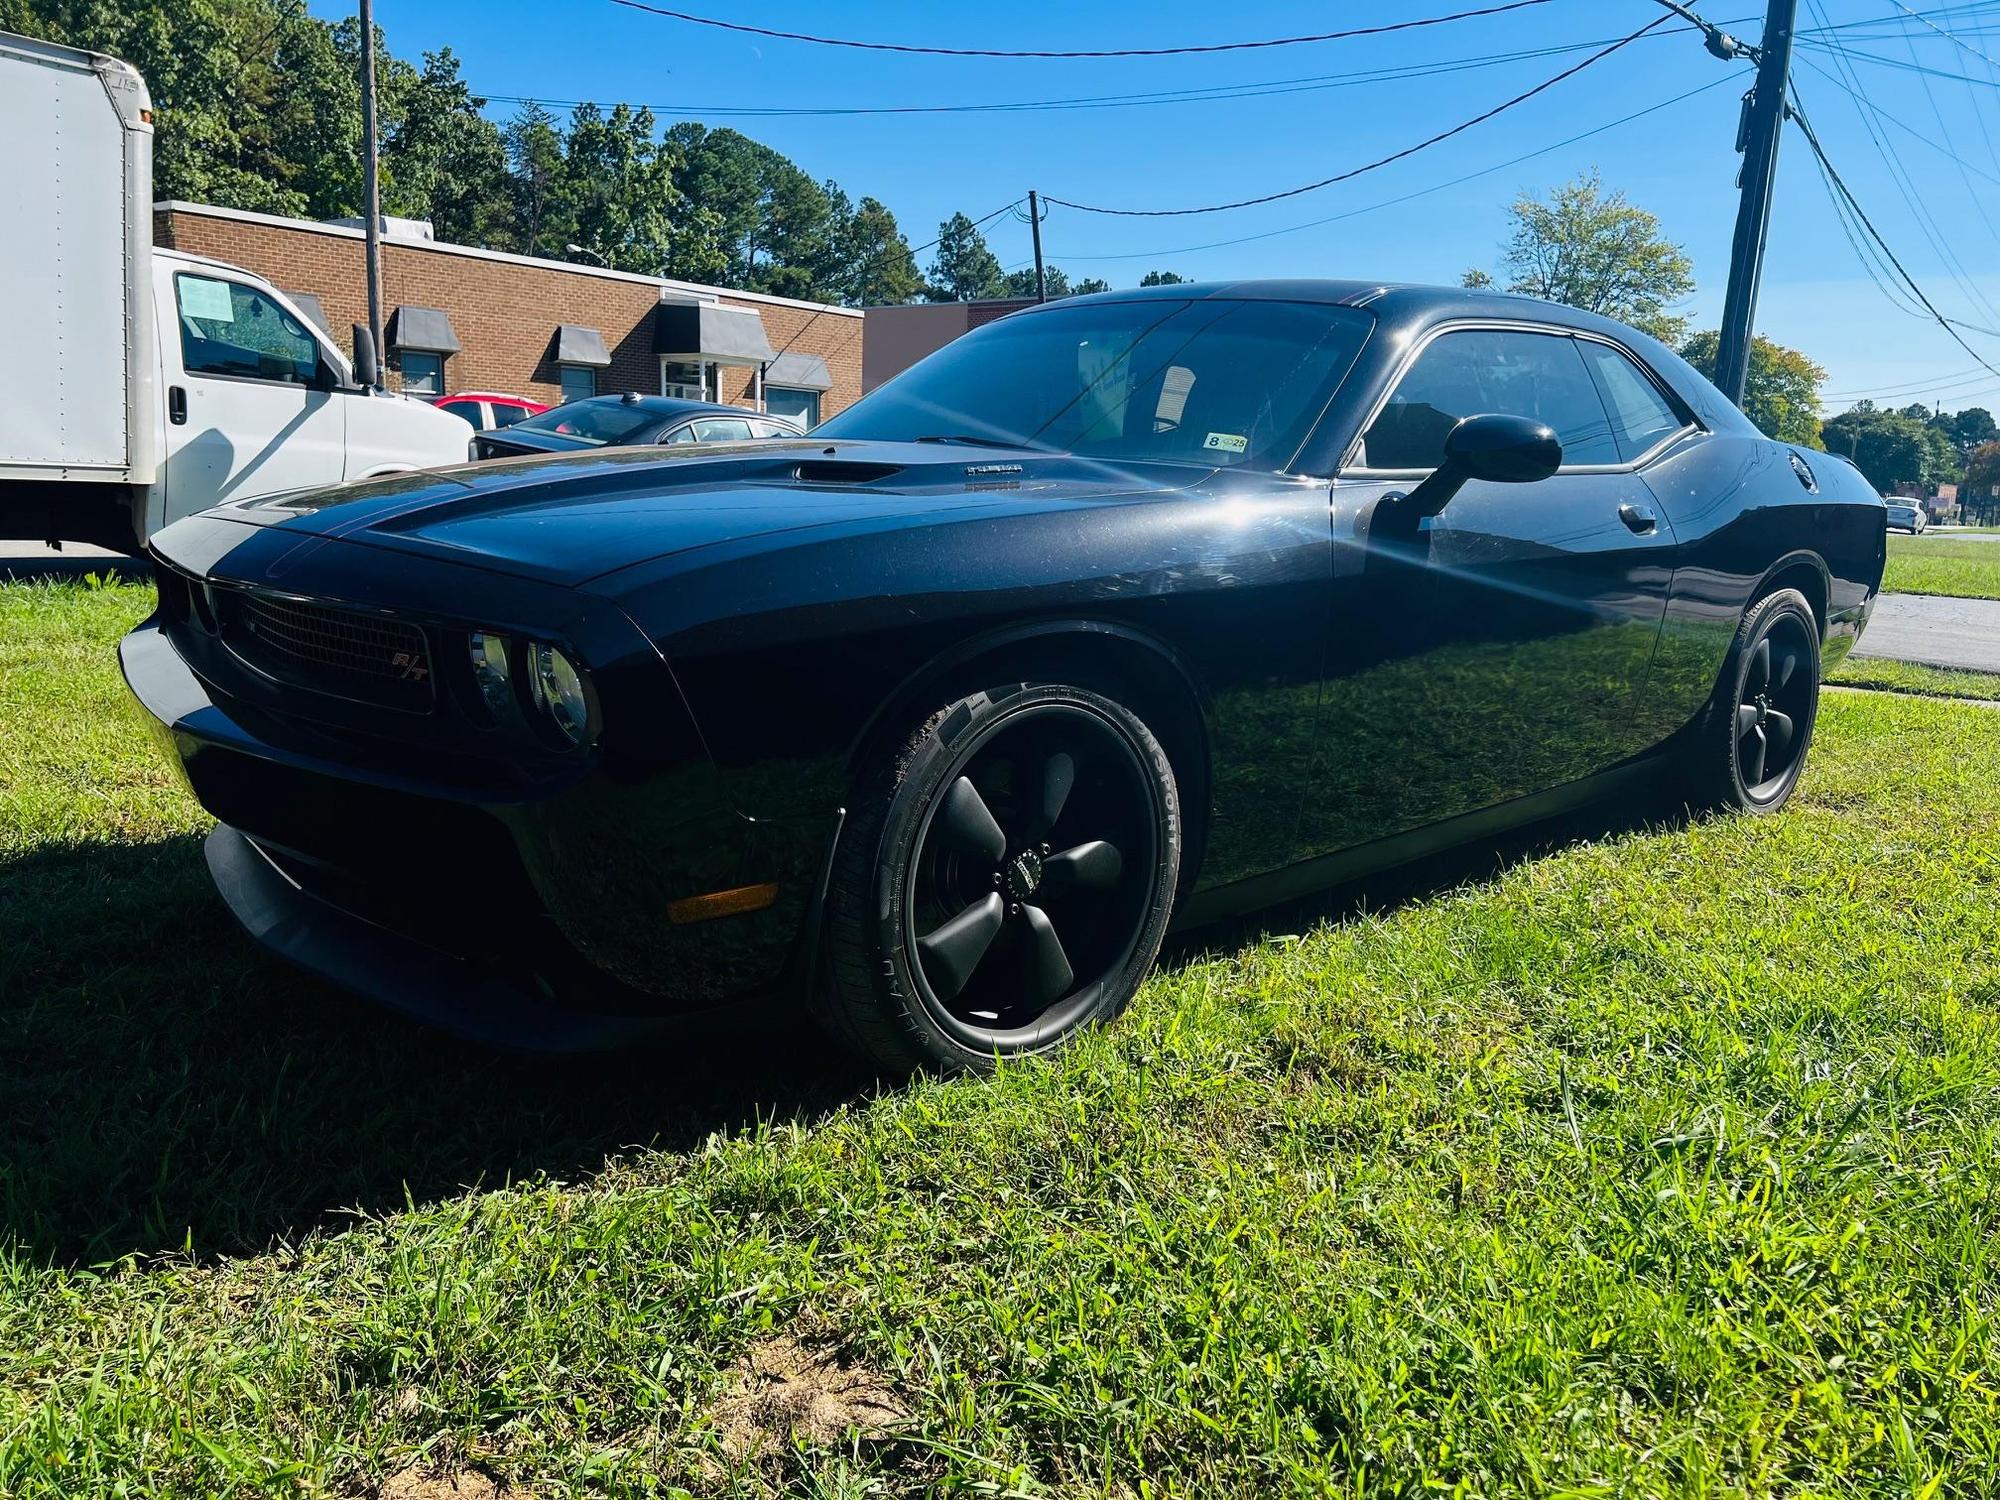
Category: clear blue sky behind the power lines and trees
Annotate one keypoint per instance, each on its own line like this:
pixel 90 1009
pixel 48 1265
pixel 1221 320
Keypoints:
pixel 1337 113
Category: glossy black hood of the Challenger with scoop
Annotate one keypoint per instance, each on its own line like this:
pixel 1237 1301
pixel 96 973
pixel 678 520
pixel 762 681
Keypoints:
pixel 573 519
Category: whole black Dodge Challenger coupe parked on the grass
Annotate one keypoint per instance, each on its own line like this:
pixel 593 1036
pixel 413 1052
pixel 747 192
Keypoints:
pixel 1125 611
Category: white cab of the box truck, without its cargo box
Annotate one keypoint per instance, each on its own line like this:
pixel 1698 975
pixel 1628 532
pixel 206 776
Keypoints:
pixel 255 399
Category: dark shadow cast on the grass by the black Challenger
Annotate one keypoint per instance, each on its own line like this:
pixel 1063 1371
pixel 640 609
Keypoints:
pixel 165 1087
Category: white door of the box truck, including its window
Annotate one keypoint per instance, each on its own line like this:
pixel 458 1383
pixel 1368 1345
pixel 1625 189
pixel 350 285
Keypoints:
pixel 249 407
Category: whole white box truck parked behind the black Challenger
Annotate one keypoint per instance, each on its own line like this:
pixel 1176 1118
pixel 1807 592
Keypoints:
pixel 143 385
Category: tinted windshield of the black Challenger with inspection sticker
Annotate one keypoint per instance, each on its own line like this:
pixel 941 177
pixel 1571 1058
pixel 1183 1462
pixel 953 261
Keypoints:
pixel 1203 383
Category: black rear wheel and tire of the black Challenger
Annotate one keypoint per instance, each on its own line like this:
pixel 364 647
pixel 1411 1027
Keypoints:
pixel 1749 747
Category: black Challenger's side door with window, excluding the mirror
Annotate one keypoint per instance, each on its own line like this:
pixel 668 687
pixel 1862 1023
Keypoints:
pixel 1501 647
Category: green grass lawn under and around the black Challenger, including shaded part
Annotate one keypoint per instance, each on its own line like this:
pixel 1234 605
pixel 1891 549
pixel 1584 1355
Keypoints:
pixel 1645 1161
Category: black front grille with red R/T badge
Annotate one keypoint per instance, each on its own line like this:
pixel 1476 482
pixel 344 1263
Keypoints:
pixel 327 649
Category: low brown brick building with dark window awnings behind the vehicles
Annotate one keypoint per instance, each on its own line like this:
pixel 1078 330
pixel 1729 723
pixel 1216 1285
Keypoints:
pixel 465 319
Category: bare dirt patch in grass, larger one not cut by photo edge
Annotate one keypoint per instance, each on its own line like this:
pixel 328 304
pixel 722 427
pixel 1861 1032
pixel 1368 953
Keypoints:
pixel 785 1393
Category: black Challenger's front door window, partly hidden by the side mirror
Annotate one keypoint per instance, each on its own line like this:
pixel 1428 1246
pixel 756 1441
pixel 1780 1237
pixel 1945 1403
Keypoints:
pixel 1485 371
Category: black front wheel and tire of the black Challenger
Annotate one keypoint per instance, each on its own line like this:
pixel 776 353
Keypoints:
pixel 1003 883
